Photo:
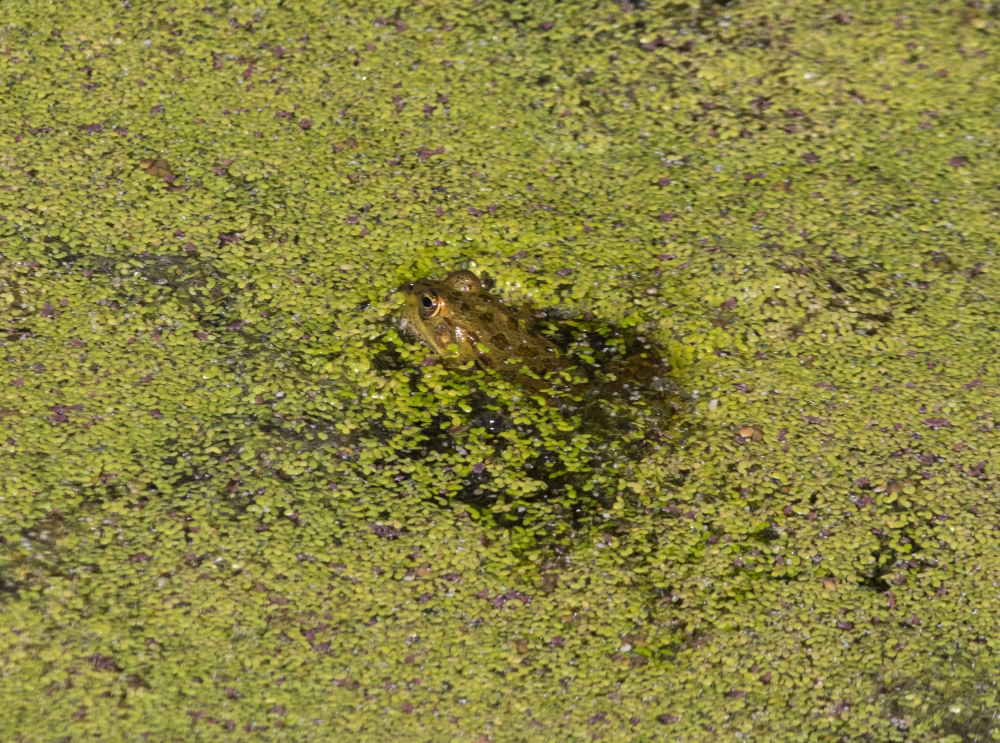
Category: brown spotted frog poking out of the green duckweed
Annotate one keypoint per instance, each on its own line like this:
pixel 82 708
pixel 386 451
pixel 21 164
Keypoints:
pixel 463 323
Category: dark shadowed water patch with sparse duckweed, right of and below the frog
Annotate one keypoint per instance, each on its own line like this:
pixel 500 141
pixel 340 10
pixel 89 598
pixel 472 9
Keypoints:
pixel 612 405
